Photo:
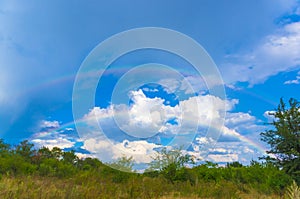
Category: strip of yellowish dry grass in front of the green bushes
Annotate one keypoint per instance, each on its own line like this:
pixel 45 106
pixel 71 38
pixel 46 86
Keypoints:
pixel 140 187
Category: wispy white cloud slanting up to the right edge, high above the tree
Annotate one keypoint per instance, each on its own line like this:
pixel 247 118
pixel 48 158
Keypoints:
pixel 277 53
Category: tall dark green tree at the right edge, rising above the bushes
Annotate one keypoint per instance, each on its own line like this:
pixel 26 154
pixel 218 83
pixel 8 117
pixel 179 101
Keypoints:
pixel 284 138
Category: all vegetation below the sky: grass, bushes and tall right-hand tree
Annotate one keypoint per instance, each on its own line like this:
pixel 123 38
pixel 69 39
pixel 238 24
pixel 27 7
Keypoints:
pixel 27 172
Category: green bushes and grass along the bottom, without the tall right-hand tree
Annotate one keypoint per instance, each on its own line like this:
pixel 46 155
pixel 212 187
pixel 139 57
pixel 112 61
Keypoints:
pixel 90 178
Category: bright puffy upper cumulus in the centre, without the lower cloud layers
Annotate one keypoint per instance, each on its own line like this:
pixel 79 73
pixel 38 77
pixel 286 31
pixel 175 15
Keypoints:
pixel 149 116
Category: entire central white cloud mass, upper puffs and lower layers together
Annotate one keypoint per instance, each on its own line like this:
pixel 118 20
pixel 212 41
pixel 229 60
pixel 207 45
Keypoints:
pixel 151 113
